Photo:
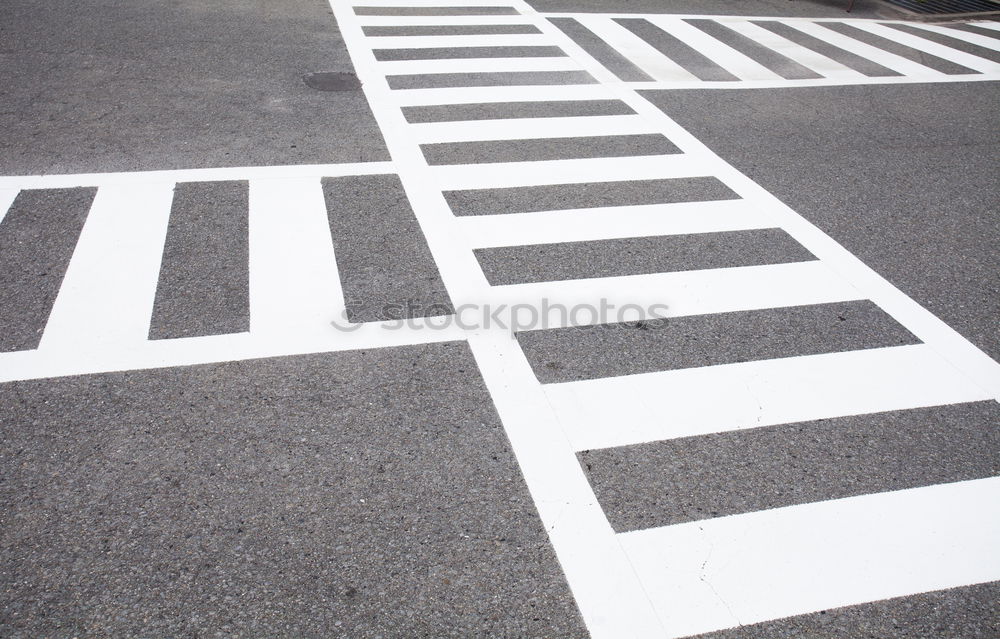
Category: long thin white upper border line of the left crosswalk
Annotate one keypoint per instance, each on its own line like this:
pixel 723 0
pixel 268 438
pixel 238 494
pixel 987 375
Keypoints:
pixel 194 175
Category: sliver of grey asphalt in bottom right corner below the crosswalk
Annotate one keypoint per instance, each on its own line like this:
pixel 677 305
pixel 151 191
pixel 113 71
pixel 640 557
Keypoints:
pixel 969 612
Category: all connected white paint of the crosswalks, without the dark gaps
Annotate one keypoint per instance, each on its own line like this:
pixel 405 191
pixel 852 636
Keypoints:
pixel 644 584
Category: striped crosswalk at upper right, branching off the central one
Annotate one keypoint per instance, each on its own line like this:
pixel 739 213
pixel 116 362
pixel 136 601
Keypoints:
pixel 660 51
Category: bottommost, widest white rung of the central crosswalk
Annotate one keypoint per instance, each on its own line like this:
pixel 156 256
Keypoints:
pixel 744 569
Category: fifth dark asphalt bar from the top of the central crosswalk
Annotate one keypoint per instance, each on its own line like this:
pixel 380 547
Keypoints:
pixel 508 110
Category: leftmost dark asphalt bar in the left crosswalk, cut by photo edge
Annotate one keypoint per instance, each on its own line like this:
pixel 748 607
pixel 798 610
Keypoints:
pixel 37 238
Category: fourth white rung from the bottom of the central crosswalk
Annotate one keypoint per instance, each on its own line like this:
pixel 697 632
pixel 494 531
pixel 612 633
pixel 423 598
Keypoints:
pixel 579 225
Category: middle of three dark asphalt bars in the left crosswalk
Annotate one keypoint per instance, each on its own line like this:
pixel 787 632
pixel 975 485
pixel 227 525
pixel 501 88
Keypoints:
pixel 204 285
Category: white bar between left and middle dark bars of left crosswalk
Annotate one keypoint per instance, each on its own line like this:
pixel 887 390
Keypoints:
pixel 106 297
